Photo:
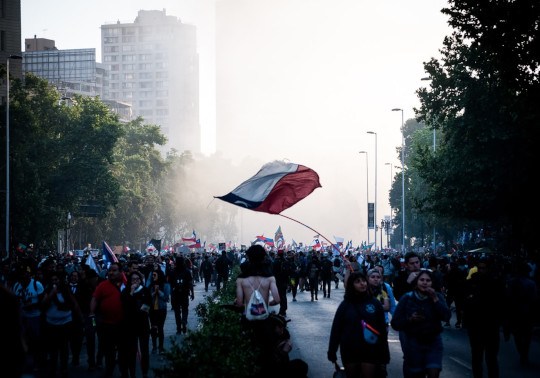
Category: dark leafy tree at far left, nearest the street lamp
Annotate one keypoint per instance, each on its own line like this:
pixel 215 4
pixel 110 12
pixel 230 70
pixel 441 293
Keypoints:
pixel 60 159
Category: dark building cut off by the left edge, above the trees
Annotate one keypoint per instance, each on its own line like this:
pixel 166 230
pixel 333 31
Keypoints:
pixel 10 40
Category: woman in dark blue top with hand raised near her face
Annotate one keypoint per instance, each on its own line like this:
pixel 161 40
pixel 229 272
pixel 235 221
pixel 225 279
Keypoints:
pixel 418 318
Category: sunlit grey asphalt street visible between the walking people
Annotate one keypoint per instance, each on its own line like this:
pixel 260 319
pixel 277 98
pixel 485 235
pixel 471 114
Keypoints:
pixel 309 327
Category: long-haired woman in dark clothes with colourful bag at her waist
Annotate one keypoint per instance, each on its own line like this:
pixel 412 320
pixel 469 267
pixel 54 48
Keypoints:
pixel 359 331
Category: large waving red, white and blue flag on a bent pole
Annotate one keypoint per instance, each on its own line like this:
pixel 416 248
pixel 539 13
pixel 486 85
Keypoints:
pixel 277 186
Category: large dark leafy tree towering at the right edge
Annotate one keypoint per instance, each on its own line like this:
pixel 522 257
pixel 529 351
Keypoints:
pixel 484 98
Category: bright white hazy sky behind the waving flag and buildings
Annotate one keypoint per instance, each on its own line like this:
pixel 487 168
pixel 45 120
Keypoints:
pixel 315 76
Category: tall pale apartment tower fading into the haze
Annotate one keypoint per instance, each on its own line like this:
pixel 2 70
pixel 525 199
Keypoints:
pixel 154 66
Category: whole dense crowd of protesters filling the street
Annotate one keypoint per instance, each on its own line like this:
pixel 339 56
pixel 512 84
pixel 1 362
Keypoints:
pixel 120 311
